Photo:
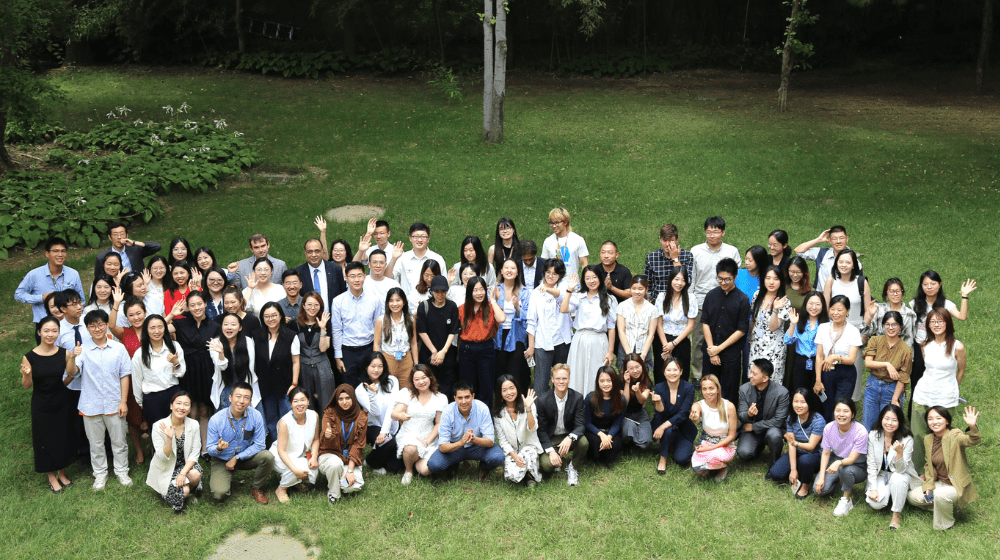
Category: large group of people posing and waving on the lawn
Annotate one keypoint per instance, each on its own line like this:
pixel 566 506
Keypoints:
pixel 533 363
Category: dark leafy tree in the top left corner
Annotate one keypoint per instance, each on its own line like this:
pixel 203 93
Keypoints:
pixel 26 24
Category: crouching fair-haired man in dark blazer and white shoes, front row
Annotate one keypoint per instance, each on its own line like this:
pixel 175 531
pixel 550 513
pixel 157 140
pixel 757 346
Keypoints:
pixel 560 426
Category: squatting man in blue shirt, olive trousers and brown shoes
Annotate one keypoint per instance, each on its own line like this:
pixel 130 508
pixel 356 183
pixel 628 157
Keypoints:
pixel 236 442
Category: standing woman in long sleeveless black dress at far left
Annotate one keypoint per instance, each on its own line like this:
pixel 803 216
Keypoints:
pixel 48 369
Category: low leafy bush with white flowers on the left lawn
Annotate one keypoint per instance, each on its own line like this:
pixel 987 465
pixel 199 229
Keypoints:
pixel 148 159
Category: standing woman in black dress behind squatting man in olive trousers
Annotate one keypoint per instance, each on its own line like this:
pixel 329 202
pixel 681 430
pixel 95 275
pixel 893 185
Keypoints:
pixel 193 330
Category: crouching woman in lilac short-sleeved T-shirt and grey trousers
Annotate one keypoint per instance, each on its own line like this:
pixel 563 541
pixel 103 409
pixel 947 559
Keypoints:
pixel 845 449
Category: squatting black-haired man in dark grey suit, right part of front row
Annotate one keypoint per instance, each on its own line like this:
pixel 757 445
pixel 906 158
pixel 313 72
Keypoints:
pixel 762 412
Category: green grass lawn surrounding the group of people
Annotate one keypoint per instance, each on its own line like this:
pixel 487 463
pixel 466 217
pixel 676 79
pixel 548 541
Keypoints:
pixel 914 180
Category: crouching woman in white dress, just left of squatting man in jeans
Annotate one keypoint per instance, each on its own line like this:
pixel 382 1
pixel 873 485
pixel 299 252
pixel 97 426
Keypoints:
pixel 419 414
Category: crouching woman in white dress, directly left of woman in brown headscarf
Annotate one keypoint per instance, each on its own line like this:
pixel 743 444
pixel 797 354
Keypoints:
pixel 296 451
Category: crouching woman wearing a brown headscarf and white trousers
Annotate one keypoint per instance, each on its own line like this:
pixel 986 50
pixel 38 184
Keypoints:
pixel 342 443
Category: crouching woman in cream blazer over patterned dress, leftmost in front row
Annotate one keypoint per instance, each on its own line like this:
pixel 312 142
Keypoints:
pixel 174 471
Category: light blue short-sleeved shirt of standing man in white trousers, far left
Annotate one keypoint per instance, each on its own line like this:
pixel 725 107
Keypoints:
pixel 101 371
